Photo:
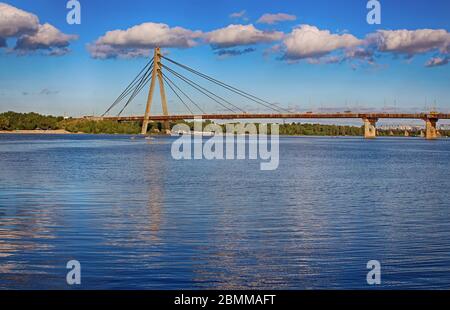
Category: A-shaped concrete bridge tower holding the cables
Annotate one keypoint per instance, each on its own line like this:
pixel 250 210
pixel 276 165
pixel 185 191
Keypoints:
pixel 156 74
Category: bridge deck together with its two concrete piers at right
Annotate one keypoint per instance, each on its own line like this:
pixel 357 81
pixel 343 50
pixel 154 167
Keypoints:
pixel 369 119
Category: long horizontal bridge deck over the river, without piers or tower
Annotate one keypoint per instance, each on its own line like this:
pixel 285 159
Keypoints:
pixel 279 116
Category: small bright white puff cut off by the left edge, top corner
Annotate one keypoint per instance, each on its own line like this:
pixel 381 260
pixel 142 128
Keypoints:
pixel 15 22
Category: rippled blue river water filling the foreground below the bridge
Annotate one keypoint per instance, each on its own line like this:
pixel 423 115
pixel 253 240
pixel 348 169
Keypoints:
pixel 136 219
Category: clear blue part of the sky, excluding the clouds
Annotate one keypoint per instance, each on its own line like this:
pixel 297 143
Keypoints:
pixel 76 83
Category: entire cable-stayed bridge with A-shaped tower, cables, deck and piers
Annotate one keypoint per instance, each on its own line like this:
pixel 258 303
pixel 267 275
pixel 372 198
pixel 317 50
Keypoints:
pixel 153 72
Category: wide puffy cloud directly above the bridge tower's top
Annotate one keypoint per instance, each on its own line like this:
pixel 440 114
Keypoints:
pixel 138 40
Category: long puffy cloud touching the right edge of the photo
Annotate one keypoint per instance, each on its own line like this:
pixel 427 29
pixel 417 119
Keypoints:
pixel 410 42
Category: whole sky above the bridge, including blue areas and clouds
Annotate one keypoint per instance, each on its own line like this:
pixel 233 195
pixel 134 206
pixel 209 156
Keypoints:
pixel 303 55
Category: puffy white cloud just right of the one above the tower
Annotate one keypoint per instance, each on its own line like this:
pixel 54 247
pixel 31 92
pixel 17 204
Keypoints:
pixel 237 35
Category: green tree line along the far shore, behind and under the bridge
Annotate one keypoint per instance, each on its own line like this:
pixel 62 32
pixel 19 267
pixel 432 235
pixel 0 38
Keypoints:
pixel 34 123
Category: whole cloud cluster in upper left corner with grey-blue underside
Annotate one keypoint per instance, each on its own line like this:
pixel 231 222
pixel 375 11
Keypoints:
pixel 30 34
